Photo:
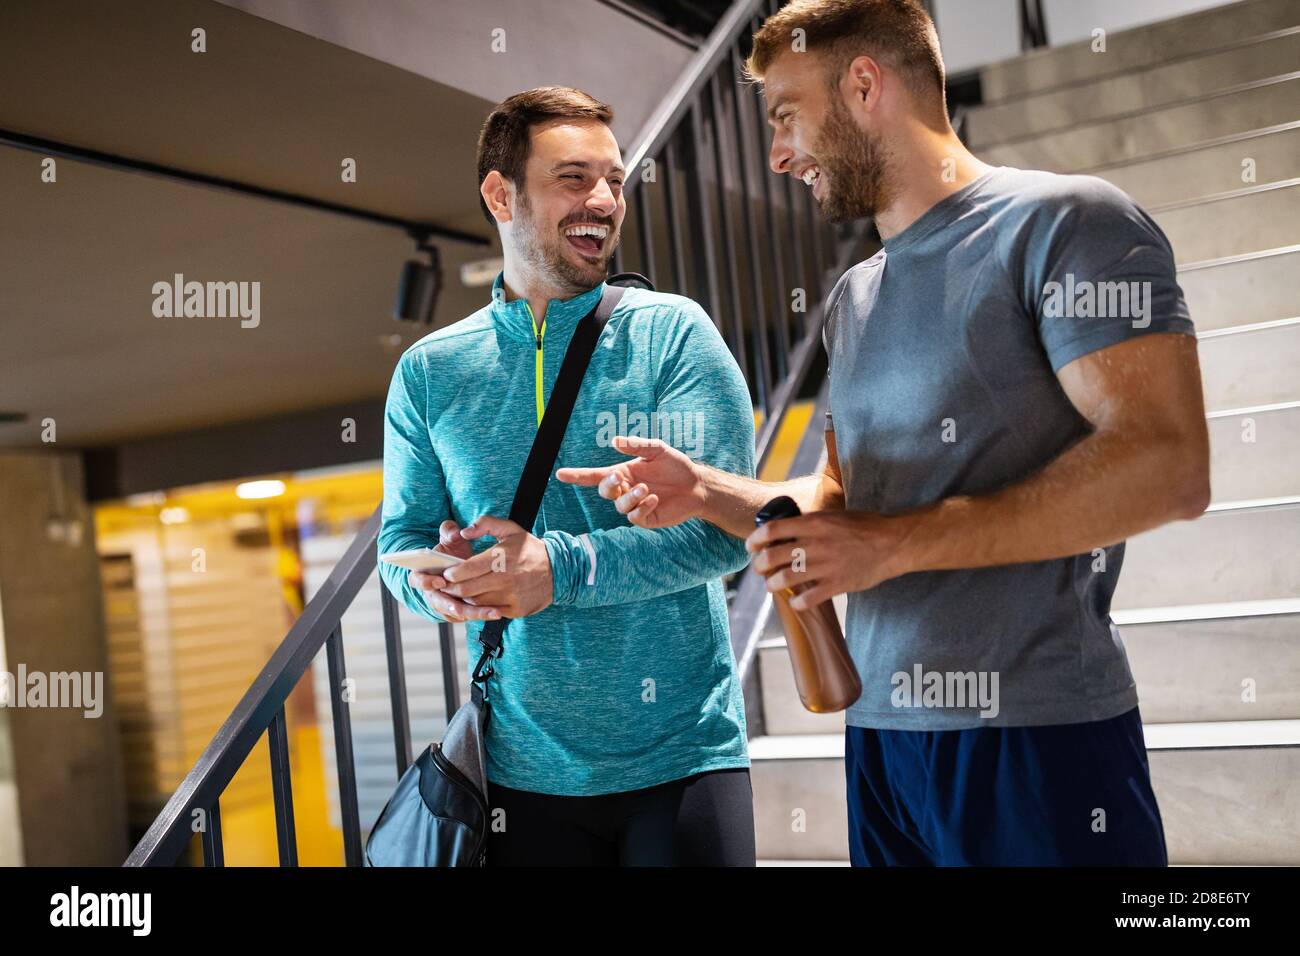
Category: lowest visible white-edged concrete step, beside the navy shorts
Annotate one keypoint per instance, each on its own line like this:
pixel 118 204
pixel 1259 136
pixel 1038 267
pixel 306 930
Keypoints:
pixel 1227 793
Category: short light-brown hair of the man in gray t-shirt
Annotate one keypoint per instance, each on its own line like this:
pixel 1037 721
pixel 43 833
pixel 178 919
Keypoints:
pixel 899 33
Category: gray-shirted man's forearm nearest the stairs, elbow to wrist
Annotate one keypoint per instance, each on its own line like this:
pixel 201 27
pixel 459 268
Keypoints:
pixel 1102 491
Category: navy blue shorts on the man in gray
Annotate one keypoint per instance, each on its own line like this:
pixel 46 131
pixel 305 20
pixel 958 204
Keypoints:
pixel 1058 795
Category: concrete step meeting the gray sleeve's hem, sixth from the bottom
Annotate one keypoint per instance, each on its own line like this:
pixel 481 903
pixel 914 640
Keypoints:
pixel 1242 291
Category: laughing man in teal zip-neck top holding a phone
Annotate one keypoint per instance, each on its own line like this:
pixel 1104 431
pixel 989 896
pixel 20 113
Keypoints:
pixel 618 724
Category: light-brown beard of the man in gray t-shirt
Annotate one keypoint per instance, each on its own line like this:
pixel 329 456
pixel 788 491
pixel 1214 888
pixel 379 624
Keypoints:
pixel 853 161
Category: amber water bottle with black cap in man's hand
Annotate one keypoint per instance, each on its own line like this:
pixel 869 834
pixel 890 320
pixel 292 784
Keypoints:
pixel 824 672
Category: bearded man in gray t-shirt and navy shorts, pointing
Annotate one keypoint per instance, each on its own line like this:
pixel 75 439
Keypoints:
pixel 1013 392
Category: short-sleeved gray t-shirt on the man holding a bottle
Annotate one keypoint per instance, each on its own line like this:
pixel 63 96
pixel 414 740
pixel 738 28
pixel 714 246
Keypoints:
pixel 944 349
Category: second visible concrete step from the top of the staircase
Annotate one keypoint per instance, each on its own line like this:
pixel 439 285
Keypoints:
pixel 1162 84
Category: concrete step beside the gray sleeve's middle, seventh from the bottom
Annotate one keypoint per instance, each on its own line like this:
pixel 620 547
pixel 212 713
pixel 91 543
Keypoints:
pixel 1247 220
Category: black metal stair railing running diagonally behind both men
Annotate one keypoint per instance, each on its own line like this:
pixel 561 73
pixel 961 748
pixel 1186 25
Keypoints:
pixel 707 220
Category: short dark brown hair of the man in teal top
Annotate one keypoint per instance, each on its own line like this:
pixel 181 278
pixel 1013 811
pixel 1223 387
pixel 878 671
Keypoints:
pixel 504 142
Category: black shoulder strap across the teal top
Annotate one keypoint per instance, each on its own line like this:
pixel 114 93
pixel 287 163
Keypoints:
pixel 547 445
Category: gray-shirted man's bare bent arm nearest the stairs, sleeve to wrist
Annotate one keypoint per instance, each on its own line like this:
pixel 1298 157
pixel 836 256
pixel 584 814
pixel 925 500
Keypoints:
pixel 1145 464
